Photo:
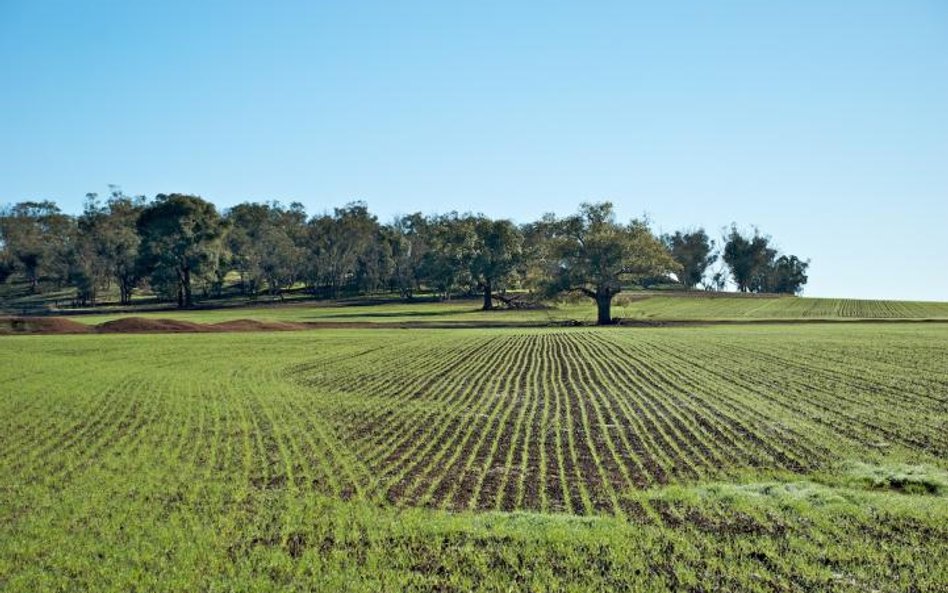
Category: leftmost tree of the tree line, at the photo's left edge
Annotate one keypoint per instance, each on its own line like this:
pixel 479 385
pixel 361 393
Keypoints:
pixel 37 239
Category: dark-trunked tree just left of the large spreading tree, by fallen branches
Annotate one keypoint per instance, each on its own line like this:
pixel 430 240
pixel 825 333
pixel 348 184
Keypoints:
pixel 497 251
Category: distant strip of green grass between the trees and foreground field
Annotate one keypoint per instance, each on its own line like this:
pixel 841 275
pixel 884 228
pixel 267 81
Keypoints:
pixel 647 306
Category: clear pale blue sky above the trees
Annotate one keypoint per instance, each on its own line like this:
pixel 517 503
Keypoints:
pixel 824 123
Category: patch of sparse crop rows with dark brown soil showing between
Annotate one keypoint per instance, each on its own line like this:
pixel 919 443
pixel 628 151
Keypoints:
pixel 569 421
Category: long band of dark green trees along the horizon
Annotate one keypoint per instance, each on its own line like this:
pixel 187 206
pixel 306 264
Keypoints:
pixel 181 248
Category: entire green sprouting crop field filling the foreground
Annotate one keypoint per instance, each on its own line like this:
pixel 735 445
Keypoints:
pixel 753 458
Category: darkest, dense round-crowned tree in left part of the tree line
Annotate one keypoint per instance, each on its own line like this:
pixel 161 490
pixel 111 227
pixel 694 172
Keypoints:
pixel 180 238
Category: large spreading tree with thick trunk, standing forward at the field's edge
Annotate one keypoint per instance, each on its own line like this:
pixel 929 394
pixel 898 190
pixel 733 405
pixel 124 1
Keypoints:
pixel 593 254
